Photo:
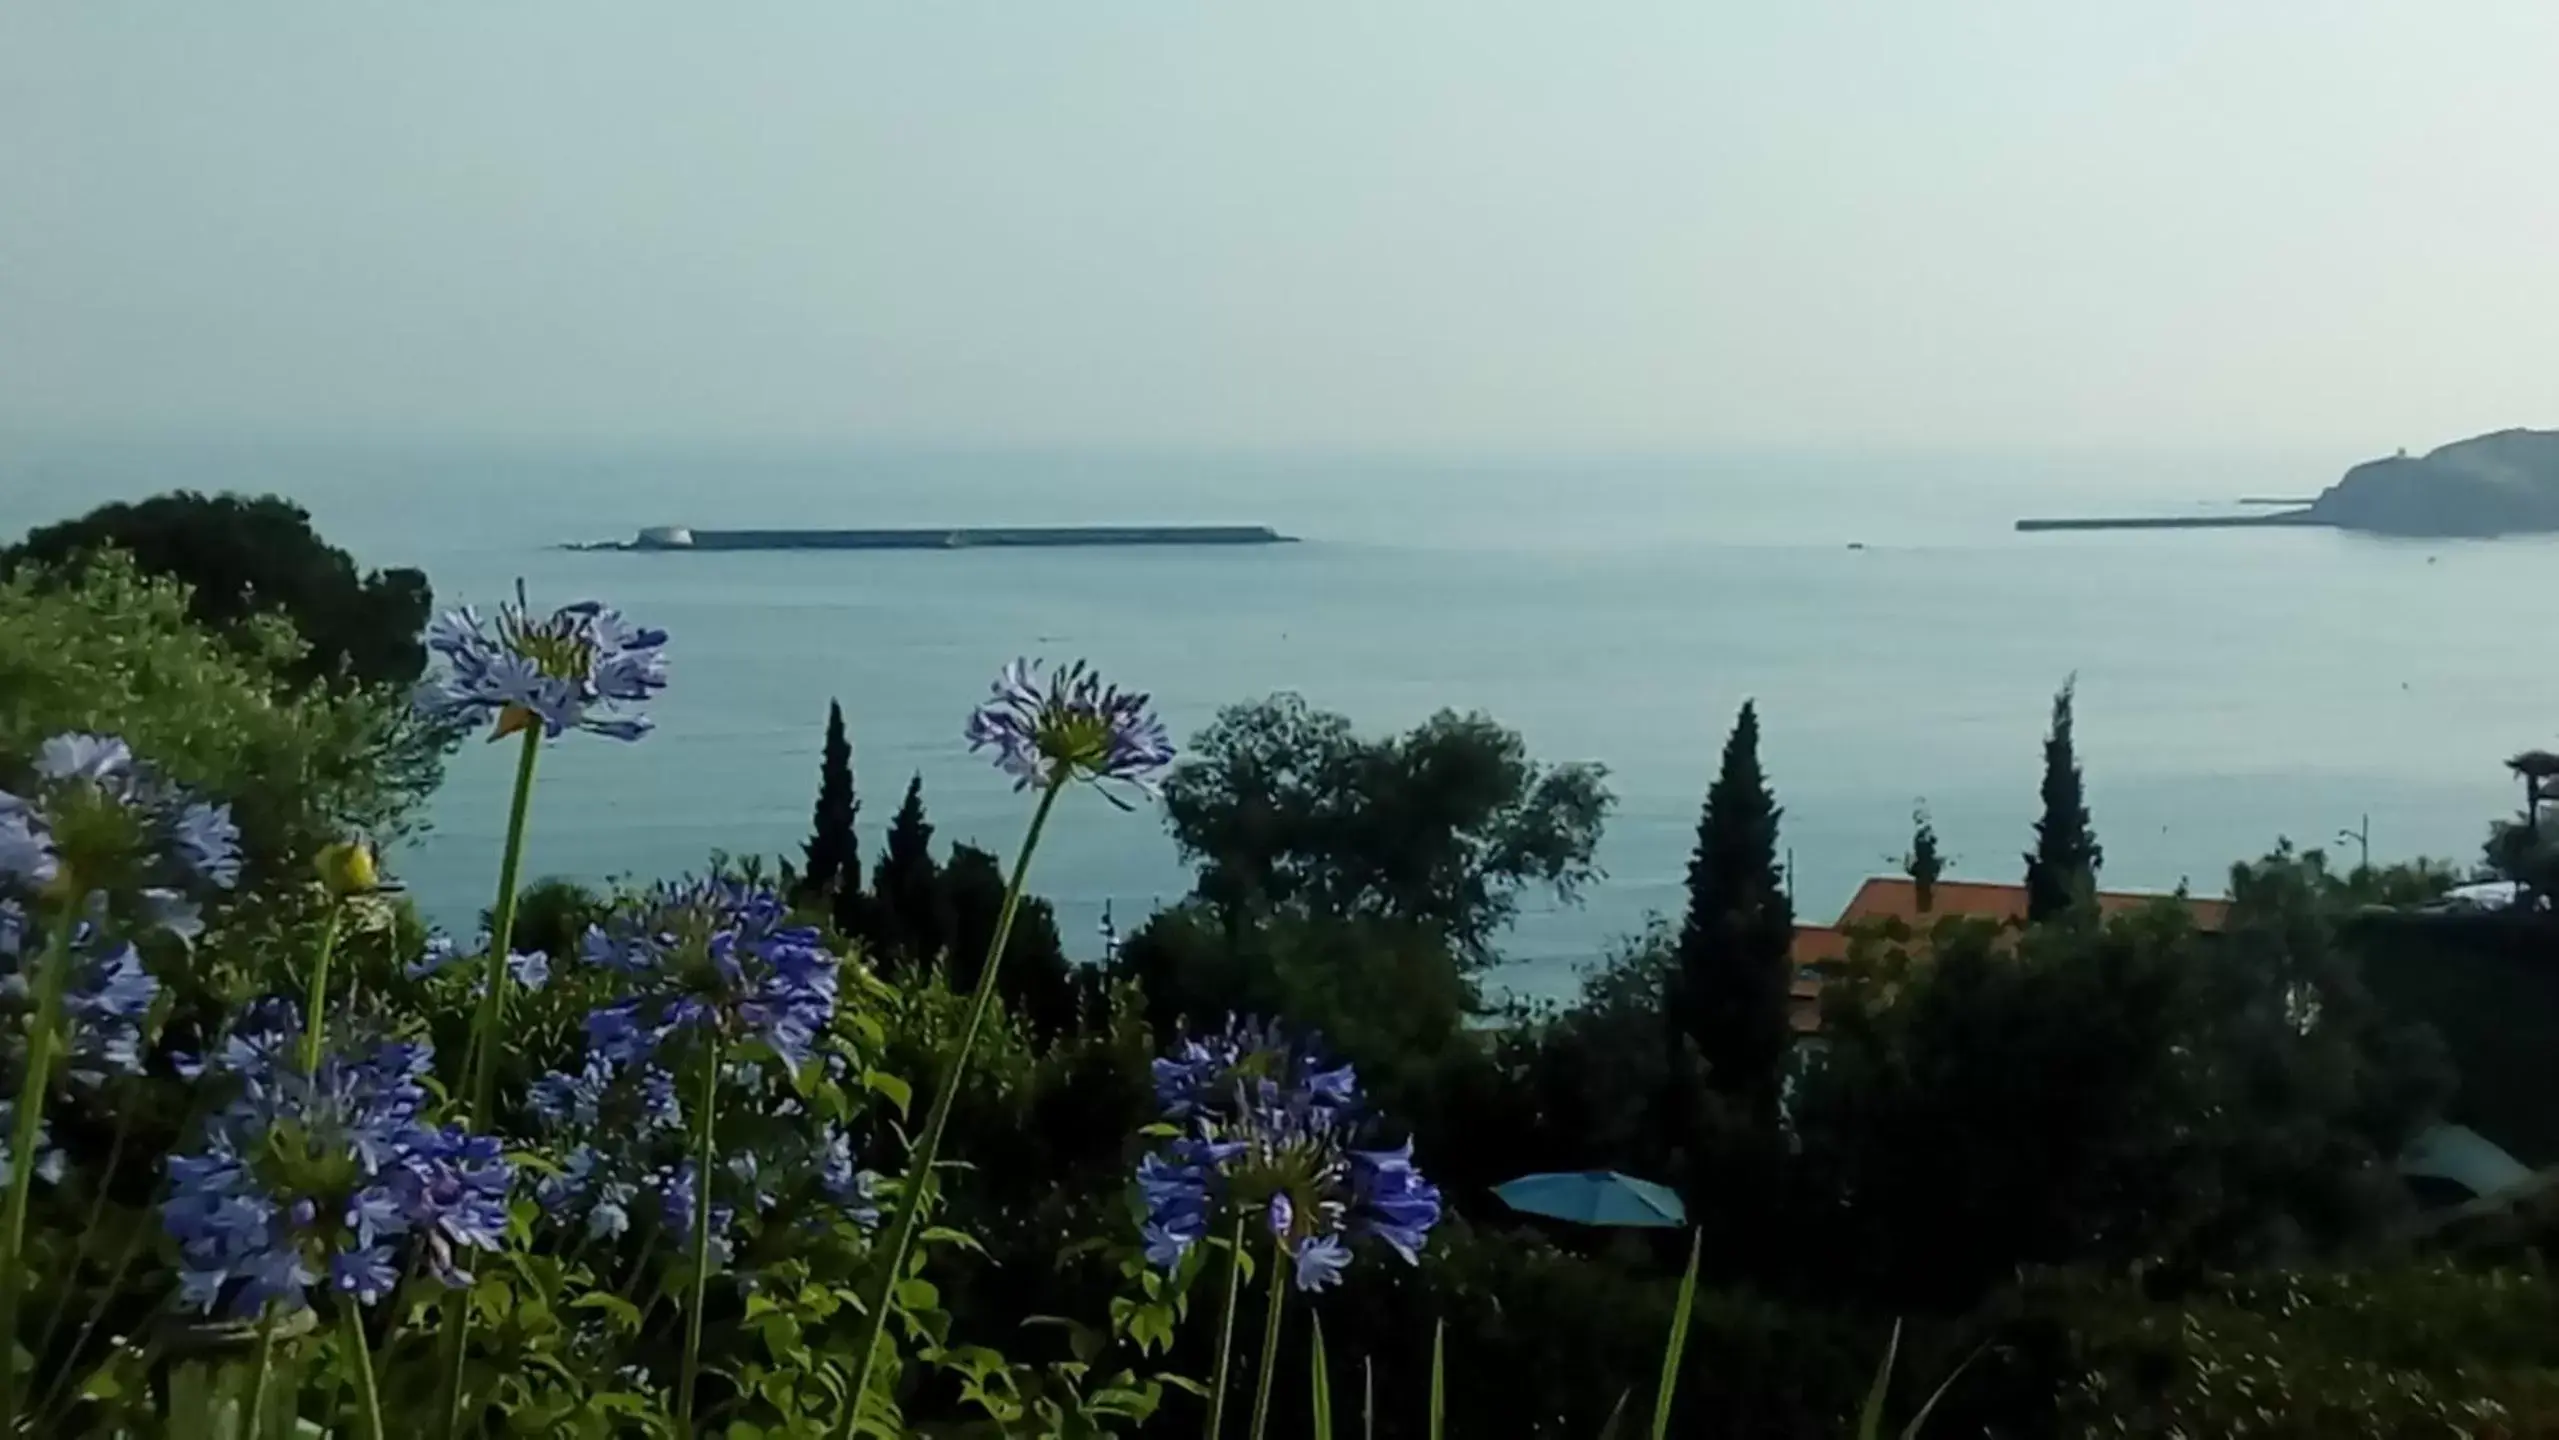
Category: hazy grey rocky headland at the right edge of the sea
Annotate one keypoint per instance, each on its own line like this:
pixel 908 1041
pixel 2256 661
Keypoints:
pixel 2496 485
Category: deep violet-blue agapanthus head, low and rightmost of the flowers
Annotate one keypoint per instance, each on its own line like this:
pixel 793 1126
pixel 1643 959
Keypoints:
pixel 1276 1132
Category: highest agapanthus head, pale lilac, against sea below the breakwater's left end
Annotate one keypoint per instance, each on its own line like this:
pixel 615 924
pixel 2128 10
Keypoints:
pixel 577 669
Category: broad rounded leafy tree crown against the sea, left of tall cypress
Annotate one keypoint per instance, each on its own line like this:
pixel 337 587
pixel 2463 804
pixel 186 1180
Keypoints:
pixel 1288 810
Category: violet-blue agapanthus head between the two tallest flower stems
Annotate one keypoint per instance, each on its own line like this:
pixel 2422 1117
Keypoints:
pixel 710 958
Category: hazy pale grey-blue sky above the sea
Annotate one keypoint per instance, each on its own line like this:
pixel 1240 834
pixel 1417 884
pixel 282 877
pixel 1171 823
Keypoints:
pixel 1381 224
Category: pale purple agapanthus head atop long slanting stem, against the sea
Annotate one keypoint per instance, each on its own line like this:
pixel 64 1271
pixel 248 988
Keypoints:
pixel 1056 725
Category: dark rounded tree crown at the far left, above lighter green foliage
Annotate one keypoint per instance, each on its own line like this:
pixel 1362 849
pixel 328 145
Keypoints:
pixel 244 559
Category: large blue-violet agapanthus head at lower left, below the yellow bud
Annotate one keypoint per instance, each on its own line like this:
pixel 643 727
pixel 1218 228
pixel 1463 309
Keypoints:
pixel 326 1178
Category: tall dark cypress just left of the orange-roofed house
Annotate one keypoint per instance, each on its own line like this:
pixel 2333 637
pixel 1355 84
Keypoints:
pixel 1736 943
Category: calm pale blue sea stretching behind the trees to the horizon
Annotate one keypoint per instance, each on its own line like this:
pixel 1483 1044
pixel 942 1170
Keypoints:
pixel 2235 687
